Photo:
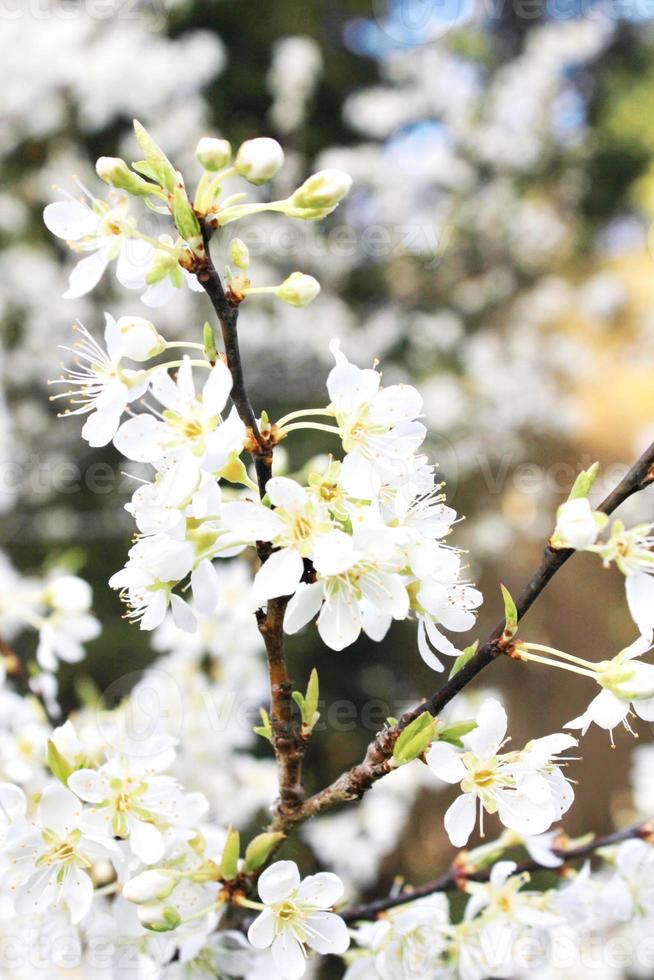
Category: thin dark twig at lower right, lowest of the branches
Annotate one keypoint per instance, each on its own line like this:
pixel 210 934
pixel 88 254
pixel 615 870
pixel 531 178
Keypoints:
pixel 457 876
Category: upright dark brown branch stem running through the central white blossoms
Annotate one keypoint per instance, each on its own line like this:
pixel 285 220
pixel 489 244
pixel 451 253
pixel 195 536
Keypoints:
pixel 288 742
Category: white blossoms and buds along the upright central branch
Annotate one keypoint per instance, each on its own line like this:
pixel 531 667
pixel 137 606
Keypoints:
pixel 360 542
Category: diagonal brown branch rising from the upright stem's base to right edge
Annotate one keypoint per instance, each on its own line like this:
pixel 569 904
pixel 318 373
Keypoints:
pixel 353 784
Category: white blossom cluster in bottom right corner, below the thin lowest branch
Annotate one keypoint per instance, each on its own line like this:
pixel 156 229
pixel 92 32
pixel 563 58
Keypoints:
pixel 508 930
